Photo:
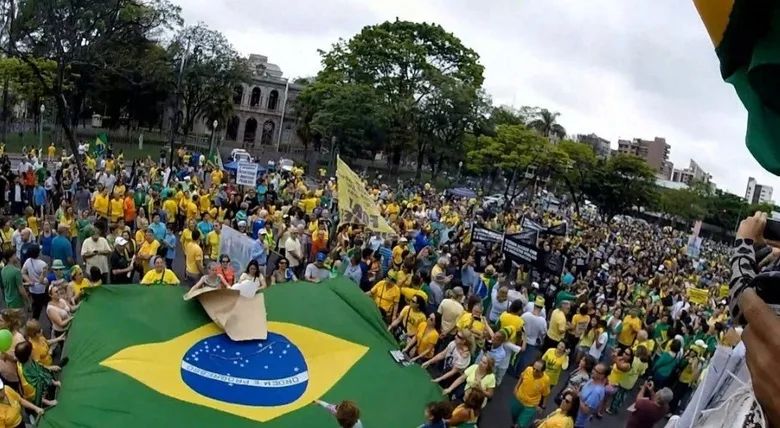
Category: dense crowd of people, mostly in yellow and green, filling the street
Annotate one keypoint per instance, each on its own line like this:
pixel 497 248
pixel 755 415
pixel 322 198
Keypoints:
pixel 618 318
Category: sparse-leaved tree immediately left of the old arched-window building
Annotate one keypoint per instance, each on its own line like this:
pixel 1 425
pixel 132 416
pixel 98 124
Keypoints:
pixel 211 71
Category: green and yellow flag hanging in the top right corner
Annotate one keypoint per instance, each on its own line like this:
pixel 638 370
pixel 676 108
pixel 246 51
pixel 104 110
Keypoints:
pixel 746 35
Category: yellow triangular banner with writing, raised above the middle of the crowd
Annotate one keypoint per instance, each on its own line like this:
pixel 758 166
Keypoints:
pixel 355 204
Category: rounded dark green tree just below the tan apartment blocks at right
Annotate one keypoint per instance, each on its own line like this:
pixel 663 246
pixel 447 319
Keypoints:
pixel 621 184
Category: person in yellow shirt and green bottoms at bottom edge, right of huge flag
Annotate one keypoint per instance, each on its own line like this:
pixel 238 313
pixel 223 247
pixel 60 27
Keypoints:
pixel 530 393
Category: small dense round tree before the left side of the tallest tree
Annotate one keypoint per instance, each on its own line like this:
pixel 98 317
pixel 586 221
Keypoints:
pixel 355 116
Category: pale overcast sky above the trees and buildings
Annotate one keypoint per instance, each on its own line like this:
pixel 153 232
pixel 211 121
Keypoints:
pixel 619 69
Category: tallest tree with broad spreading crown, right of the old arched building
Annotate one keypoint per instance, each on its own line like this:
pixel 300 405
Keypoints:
pixel 405 62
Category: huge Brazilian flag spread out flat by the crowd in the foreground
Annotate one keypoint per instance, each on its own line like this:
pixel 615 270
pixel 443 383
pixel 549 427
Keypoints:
pixel 144 357
